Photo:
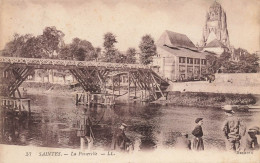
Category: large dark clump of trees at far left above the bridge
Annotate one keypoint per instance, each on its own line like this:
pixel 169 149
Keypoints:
pixel 42 46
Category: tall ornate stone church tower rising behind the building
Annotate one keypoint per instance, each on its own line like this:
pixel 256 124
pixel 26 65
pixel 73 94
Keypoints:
pixel 215 26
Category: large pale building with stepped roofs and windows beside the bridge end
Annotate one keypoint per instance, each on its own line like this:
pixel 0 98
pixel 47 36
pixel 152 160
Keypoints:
pixel 178 58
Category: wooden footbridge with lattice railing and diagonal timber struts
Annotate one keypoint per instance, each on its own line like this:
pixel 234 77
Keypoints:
pixel 93 76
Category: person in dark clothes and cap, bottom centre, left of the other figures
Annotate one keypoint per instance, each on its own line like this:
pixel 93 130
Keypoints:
pixel 120 141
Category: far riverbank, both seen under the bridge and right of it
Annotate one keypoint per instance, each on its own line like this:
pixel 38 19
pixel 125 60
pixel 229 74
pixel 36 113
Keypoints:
pixel 184 98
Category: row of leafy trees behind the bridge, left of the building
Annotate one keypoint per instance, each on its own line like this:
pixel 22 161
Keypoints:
pixel 50 44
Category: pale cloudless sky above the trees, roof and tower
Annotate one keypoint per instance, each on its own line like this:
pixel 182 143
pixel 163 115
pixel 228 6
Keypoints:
pixel 129 20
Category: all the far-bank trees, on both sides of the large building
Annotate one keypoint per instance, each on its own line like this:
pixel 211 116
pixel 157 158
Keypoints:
pixel 50 44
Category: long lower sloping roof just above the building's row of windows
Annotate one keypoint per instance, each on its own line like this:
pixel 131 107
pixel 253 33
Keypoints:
pixel 183 52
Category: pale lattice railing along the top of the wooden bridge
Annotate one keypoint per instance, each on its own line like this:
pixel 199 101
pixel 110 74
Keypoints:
pixel 40 61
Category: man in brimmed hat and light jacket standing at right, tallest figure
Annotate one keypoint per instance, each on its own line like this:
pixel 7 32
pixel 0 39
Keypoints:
pixel 233 129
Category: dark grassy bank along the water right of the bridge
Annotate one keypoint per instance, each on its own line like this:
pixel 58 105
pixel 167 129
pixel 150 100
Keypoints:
pixel 209 99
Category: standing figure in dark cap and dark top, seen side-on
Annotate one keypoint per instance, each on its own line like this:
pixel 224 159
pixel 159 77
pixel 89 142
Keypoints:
pixel 198 133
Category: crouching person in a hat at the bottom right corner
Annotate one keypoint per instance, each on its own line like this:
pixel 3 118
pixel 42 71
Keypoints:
pixel 249 141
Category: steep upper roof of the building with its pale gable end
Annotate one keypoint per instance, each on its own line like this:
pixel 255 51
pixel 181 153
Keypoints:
pixel 175 40
